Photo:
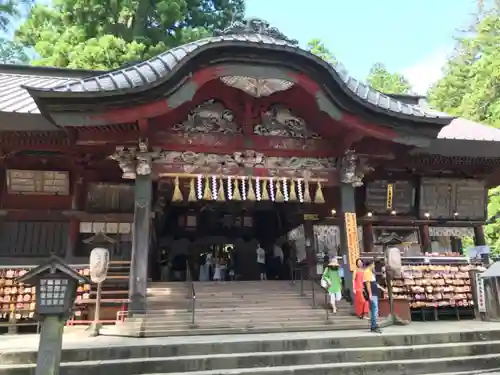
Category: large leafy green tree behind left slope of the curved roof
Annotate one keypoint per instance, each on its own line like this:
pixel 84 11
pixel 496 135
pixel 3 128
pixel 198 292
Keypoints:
pixel 95 34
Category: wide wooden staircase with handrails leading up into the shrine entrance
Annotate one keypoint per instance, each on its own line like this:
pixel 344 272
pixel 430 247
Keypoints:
pixel 236 307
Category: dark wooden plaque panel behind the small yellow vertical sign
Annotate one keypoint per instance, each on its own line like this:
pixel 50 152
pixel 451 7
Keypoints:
pixel 402 196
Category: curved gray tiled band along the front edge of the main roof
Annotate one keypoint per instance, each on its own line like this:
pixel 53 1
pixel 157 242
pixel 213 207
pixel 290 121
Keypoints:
pixel 161 66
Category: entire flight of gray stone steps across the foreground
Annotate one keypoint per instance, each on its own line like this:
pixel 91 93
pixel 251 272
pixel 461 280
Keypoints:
pixel 311 353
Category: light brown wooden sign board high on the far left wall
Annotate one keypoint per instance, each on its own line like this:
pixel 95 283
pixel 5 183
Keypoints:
pixel 31 182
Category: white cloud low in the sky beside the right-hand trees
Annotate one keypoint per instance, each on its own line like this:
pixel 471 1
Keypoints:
pixel 426 71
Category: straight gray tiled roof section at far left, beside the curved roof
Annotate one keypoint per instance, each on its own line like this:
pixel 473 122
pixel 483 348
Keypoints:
pixel 14 98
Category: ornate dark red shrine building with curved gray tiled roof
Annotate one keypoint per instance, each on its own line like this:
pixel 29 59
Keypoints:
pixel 238 139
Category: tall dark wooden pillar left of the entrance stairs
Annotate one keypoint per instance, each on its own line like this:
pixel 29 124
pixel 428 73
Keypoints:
pixel 140 244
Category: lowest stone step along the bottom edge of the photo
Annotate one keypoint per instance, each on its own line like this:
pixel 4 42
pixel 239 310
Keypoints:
pixel 397 360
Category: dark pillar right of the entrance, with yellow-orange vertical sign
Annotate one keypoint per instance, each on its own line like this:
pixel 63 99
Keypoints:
pixel 348 206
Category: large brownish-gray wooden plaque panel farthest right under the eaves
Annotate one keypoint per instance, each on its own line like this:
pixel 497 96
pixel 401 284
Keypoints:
pixel 442 198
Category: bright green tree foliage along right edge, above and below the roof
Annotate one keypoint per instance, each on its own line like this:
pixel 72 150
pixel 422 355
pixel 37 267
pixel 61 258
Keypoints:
pixel 470 88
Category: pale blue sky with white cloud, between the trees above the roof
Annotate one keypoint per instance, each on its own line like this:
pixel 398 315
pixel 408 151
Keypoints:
pixel 412 37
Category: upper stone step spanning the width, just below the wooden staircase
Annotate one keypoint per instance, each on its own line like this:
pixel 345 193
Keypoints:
pixel 310 341
